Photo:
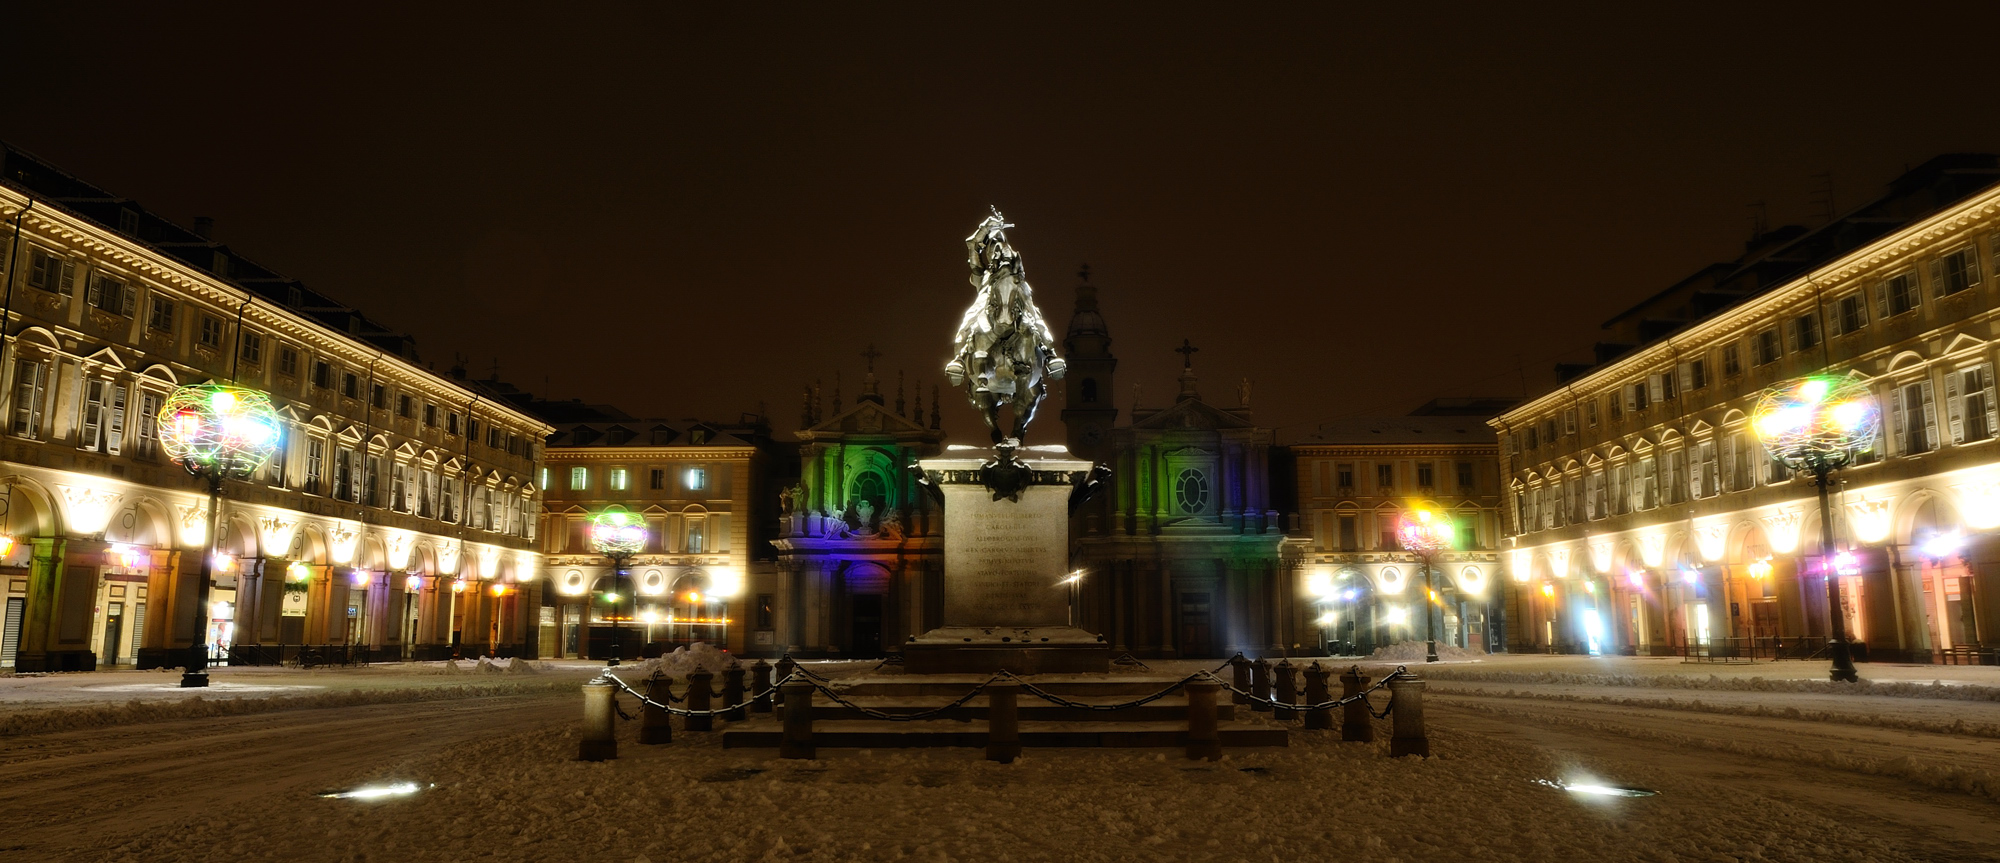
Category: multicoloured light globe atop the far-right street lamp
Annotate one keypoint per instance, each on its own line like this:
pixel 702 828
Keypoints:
pixel 1817 423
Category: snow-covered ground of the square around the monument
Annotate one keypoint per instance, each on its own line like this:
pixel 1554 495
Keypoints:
pixel 1747 772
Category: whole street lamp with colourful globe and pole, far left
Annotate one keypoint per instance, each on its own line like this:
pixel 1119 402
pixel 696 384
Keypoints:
pixel 215 432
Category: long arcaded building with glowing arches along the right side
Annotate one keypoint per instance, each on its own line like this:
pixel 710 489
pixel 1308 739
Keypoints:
pixel 1649 520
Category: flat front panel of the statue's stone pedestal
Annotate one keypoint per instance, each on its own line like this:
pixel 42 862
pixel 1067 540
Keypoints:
pixel 1003 558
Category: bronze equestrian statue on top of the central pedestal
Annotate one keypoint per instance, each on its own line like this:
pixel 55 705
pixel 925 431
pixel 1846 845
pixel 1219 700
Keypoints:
pixel 1005 355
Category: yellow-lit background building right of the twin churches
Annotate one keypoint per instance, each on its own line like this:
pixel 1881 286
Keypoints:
pixel 1357 480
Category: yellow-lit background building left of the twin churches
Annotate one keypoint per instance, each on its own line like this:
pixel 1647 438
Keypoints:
pixel 709 502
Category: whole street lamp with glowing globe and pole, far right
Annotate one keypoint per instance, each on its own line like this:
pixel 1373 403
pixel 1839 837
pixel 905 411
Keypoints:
pixel 1815 425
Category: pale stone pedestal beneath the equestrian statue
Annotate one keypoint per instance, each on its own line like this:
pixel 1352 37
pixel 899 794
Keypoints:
pixel 1005 556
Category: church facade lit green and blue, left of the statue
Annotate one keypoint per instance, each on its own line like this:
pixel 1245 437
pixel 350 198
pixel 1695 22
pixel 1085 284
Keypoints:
pixel 861 548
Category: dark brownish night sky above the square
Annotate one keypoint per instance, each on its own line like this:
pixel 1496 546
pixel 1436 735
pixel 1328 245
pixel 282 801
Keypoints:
pixel 687 215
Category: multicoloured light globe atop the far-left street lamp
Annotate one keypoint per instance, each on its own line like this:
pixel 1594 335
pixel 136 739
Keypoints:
pixel 221 431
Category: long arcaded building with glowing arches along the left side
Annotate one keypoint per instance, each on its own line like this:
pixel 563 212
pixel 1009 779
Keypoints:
pixel 395 516
